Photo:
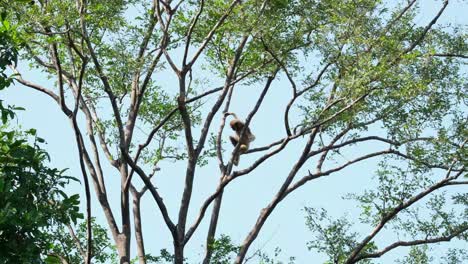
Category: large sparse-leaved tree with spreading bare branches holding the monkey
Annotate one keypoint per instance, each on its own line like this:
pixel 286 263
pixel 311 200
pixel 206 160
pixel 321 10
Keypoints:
pixel 358 73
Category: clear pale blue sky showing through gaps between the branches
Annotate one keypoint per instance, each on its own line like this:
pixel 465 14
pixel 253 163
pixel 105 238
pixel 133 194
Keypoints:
pixel 244 197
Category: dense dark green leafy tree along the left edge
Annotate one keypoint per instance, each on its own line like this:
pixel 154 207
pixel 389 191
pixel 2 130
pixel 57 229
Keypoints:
pixel 32 200
